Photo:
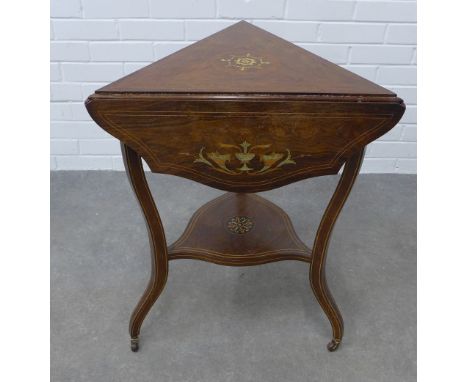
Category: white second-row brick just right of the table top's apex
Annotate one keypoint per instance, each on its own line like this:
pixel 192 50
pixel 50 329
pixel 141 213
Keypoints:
pixel 292 31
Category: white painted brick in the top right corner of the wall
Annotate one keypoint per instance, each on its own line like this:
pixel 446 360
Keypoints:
pixel 386 11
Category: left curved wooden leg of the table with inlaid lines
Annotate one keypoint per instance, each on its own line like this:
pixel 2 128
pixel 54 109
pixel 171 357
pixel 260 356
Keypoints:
pixel 159 258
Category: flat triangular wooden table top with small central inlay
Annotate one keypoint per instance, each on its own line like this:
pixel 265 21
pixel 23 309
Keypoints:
pixel 244 59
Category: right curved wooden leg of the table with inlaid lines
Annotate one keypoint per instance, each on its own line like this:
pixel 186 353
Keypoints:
pixel 317 277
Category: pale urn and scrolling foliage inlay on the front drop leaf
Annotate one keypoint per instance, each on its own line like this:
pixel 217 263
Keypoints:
pixel 244 159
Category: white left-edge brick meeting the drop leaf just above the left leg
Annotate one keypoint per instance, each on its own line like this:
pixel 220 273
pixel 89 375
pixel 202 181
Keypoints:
pixel 77 130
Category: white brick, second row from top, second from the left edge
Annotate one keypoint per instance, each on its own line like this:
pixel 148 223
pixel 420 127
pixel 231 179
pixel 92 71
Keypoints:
pixel 151 30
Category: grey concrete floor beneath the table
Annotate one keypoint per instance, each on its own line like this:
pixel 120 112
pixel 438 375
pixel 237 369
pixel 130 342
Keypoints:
pixel 215 323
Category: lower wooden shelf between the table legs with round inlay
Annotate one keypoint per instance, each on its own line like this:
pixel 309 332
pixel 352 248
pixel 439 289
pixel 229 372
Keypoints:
pixel 240 230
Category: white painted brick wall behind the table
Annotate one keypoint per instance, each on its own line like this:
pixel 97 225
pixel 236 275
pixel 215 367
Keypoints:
pixel 94 42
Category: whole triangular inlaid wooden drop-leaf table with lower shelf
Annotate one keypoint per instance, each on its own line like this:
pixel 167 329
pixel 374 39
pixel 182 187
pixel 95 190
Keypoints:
pixel 243 111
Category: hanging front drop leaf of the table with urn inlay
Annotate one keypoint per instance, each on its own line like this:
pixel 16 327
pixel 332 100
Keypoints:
pixel 319 134
